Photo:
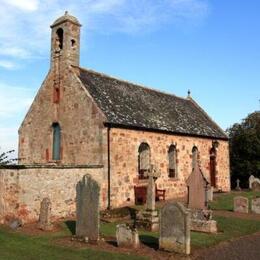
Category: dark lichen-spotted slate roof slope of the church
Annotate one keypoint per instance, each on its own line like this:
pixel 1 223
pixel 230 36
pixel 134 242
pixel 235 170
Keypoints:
pixel 129 105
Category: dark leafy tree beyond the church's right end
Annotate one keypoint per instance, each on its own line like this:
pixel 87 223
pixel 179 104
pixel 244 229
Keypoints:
pixel 245 149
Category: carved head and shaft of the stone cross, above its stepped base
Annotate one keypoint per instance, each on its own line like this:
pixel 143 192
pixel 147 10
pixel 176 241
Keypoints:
pixel 153 173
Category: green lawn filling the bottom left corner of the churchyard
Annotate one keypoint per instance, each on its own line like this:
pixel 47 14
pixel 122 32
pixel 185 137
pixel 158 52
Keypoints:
pixel 14 245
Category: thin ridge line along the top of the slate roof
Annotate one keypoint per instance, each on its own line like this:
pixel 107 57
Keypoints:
pixel 131 83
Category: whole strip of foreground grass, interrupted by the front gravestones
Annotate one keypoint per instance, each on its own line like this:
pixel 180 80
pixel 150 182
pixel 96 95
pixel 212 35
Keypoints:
pixel 14 245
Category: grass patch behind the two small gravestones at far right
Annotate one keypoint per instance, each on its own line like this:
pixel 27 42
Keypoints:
pixel 225 201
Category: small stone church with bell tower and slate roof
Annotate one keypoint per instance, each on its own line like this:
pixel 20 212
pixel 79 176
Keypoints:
pixel 81 118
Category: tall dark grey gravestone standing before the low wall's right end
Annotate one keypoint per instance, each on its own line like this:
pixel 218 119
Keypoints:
pixel 87 209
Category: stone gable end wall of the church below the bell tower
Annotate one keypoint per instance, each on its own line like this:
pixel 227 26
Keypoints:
pixel 83 137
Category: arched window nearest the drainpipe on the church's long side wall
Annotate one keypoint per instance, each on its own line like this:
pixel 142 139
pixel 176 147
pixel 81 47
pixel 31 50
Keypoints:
pixel 144 157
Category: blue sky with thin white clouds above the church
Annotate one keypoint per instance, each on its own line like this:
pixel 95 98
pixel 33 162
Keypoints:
pixel 210 47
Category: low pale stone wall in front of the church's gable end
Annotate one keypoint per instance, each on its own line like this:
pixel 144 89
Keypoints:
pixel 22 190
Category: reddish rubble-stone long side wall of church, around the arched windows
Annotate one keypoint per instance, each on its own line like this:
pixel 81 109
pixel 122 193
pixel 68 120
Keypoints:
pixel 124 162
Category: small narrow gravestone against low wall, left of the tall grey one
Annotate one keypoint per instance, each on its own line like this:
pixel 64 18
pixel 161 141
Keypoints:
pixel 45 215
